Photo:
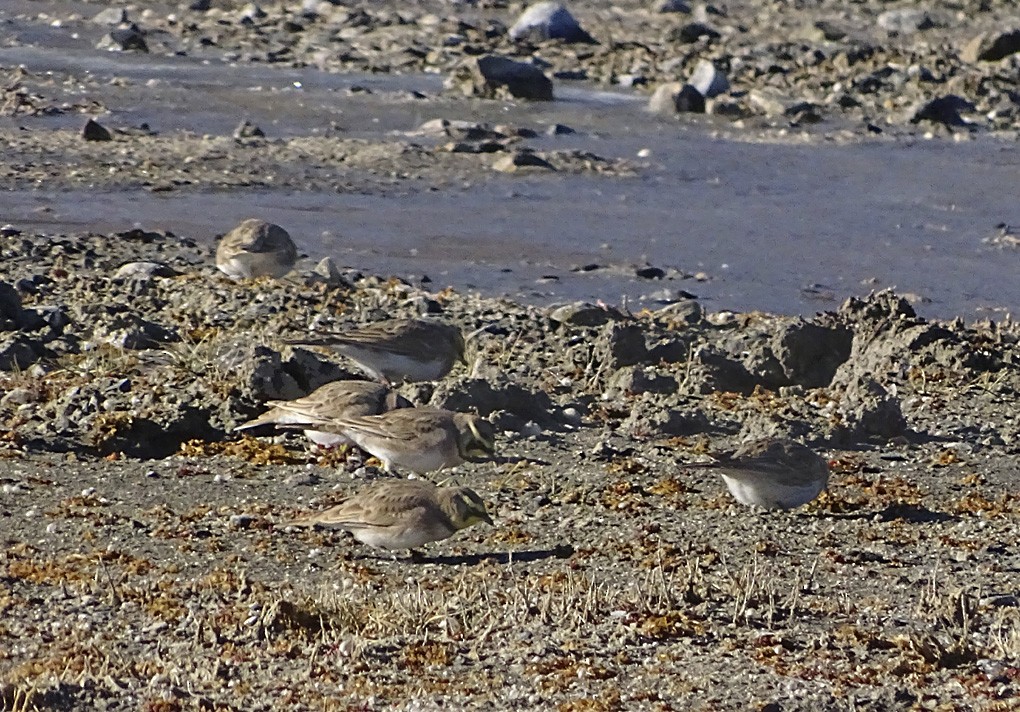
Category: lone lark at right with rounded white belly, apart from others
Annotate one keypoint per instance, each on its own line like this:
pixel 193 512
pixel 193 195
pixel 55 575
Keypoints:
pixel 774 474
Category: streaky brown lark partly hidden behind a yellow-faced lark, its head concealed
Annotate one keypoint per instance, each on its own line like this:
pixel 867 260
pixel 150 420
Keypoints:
pixel 339 399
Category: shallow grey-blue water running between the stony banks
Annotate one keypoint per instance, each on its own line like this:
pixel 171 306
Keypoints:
pixel 789 228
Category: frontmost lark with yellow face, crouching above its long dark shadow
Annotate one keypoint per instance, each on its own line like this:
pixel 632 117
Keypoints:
pixel 402 514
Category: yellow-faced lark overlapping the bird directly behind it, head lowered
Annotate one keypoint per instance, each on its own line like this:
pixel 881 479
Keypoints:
pixel 419 440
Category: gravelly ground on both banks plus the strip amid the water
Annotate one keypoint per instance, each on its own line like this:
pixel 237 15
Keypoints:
pixel 143 567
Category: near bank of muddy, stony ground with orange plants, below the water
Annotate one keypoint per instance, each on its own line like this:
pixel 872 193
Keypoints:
pixel 143 568
